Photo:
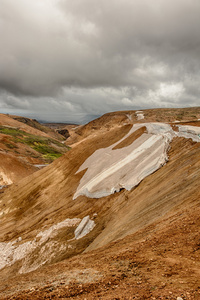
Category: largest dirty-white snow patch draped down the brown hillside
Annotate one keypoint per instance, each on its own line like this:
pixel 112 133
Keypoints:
pixel 110 170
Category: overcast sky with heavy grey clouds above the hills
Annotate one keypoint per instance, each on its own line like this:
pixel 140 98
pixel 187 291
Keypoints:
pixel 73 60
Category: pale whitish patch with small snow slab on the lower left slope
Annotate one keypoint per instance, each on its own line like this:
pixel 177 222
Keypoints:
pixel 13 251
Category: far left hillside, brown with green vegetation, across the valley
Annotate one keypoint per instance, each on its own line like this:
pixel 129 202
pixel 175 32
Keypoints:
pixel 22 145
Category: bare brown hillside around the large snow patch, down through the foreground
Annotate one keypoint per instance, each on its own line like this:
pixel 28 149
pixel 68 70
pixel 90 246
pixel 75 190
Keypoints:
pixel 160 215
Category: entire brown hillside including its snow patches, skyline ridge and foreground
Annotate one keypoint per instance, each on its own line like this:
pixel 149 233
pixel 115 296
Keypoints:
pixel 75 229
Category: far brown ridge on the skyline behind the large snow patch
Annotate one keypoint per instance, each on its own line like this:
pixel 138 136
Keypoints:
pixel 113 119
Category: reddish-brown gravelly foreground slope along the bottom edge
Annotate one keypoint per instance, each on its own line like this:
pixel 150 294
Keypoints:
pixel 160 261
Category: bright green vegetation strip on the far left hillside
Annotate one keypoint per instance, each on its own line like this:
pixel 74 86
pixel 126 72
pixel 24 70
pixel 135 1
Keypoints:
pixel 49 148
